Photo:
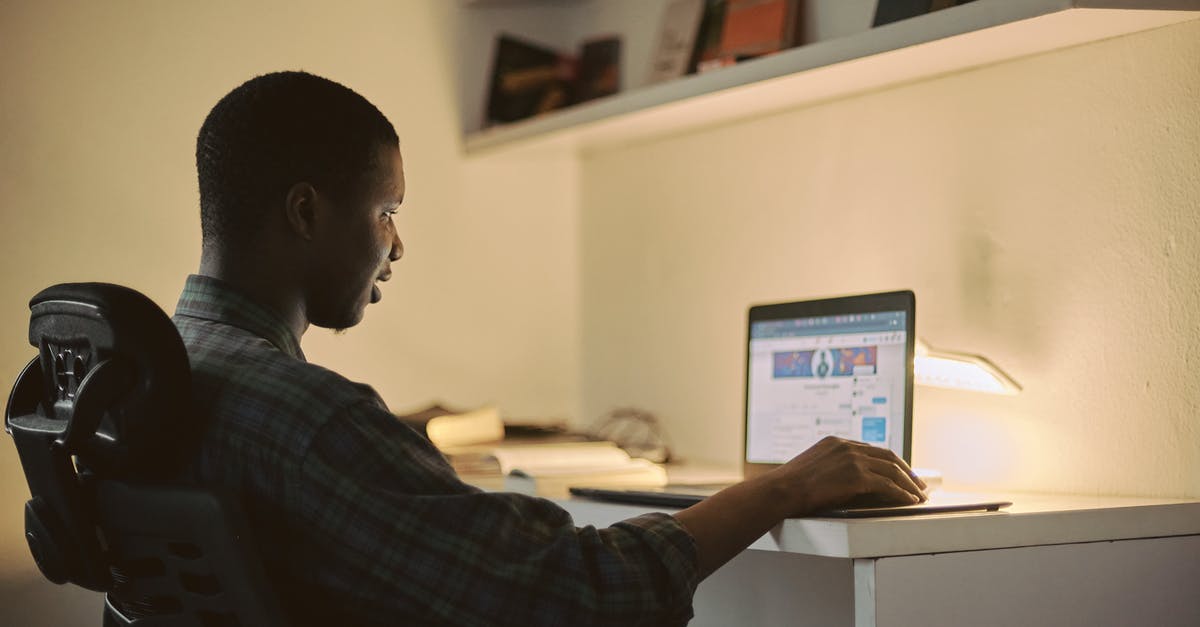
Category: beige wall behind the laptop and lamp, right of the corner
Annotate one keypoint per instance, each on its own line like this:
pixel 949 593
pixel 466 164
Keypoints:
pixel 1045 211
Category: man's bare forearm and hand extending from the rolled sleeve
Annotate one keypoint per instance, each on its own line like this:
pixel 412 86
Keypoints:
pixel 829 475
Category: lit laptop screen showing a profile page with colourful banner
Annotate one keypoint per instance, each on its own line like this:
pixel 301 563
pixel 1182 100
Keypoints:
pixel 827 375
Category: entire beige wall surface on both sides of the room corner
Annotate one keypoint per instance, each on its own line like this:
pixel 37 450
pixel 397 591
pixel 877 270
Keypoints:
pixel 1043 210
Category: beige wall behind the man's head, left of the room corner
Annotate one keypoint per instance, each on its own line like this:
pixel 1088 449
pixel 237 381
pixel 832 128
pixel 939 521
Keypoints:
pixel 100 104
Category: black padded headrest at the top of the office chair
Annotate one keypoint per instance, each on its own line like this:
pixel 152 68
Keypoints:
pixel 112 354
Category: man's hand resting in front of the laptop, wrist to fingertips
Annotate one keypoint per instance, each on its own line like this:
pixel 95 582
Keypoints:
pixel 837 473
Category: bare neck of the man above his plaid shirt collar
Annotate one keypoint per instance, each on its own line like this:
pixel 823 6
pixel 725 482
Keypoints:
pixel 260 283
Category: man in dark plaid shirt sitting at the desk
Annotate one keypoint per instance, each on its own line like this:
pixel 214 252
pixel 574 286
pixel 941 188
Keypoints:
pixel 361 519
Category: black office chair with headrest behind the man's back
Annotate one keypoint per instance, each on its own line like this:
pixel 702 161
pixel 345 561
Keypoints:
pixel 104 426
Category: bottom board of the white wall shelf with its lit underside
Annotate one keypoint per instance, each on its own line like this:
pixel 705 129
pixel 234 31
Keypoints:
pixel 970 35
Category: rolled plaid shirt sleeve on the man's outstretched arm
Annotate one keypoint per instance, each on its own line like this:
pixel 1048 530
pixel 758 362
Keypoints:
pixel 400 539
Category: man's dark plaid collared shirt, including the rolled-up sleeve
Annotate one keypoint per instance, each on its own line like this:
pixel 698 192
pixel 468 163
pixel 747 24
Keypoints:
pixel 362 522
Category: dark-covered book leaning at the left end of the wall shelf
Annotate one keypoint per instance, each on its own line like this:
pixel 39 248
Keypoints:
pixel 527 80
